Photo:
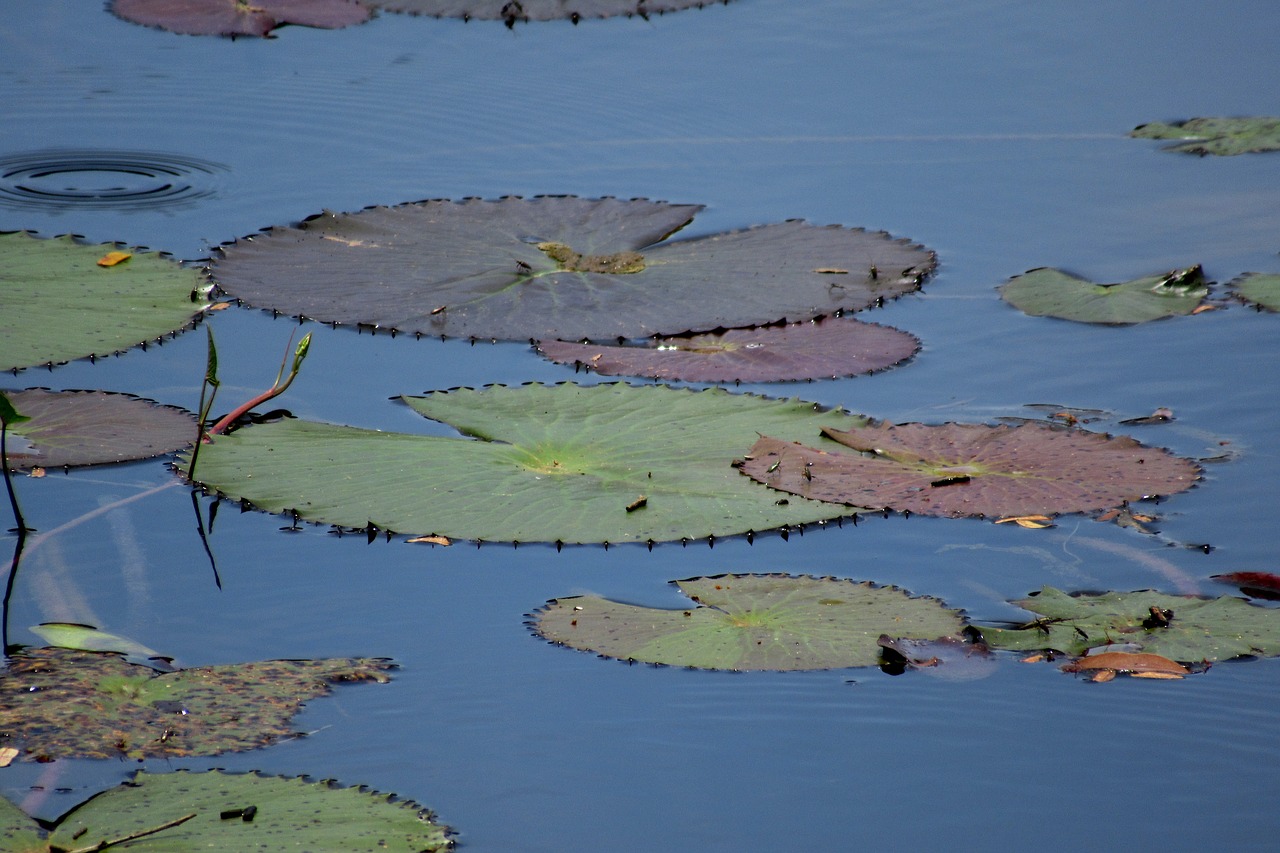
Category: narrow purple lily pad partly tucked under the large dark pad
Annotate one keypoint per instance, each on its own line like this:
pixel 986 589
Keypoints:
pixel 825 350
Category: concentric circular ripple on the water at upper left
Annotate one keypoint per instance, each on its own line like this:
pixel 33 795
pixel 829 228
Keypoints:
pixel 62 179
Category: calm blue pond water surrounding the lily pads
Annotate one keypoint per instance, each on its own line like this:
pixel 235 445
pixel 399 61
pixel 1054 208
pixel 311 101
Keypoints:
pixel 993 133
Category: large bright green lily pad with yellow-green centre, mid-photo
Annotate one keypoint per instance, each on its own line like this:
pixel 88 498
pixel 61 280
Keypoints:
pixel 540 463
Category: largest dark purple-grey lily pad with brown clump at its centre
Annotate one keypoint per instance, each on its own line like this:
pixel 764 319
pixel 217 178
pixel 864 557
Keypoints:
pixel 561 268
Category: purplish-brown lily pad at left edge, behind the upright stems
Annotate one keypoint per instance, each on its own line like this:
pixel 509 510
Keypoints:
pixel 72 428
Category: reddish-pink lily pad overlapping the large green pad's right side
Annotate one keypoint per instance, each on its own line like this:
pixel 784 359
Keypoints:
pixel 972 469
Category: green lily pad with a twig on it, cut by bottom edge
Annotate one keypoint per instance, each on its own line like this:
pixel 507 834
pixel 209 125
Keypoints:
pixel 184 813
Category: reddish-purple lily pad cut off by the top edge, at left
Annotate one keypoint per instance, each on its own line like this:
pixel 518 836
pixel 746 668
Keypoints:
pixel 240 17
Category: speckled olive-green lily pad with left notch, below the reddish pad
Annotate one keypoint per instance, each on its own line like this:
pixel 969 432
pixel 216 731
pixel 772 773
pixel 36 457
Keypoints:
pixel 751 623
